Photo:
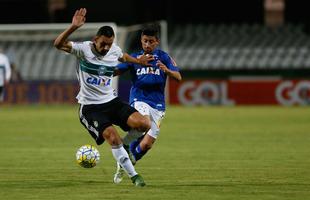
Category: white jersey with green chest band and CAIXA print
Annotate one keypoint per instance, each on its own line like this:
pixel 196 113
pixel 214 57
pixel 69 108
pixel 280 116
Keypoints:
pixel 95 72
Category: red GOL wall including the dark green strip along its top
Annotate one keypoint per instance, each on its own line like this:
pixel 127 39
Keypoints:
pixel 241 87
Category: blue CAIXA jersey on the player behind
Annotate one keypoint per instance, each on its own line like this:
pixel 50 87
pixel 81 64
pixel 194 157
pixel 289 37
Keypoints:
pixel 148 82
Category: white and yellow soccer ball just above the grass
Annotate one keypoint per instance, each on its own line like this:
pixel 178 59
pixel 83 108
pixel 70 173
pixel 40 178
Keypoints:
pixel 87 156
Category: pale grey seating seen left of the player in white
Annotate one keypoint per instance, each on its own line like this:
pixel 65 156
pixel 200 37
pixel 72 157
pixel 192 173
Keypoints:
pixel 39 60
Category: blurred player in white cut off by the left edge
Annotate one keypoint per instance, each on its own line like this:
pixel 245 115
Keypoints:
pixel 5 74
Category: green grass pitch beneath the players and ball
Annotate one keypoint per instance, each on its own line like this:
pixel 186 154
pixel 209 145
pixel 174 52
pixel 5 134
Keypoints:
pixel 202 153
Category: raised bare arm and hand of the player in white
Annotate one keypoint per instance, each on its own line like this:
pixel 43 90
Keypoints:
pixel 78 20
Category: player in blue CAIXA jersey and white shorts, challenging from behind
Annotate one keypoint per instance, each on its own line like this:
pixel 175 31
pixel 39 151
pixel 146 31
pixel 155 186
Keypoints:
pixel 147 94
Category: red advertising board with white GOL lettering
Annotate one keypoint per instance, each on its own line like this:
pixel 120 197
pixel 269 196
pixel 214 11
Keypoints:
pixel 241 91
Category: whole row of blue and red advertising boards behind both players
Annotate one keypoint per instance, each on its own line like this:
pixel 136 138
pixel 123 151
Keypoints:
pixel 236 90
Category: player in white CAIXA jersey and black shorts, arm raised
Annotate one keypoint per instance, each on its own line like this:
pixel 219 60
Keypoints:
pixel 100 108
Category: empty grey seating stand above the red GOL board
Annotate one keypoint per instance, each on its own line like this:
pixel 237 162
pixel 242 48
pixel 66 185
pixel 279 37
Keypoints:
pixel 240 47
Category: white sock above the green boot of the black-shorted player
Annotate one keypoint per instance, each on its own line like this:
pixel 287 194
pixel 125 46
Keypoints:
pixel 121 156
